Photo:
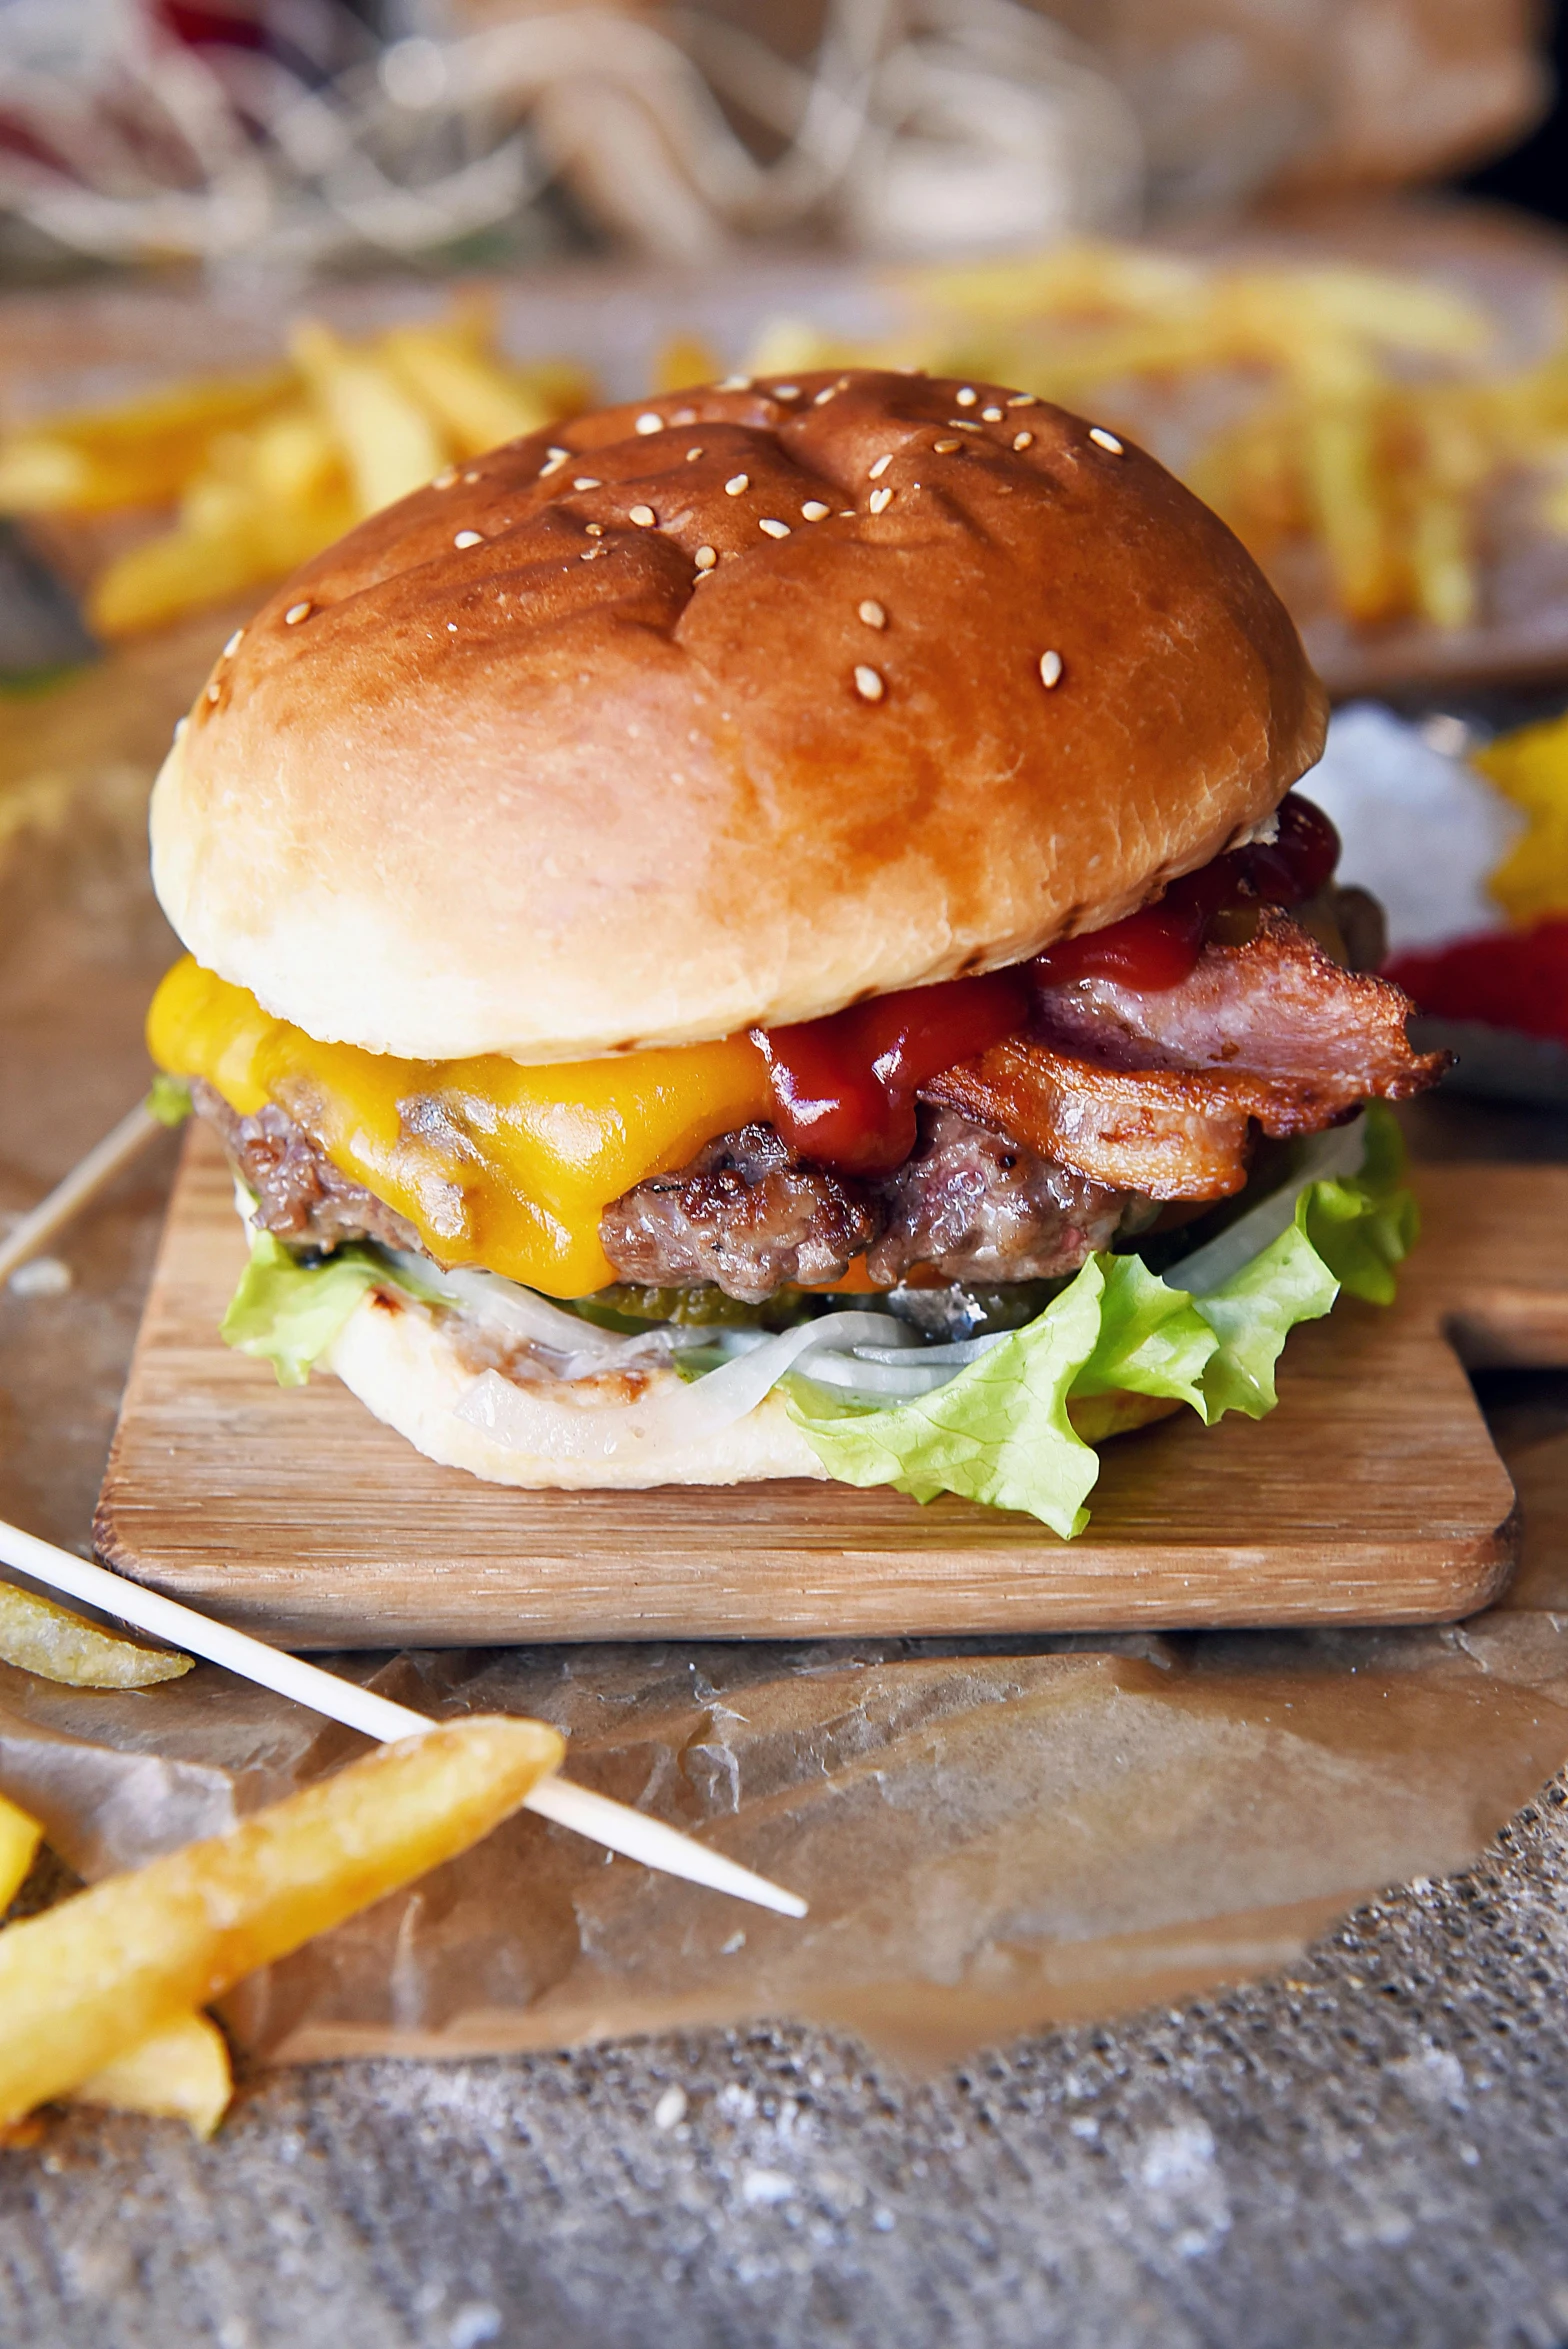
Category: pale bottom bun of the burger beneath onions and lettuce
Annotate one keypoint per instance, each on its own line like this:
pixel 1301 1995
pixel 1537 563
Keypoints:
pixel 410 1373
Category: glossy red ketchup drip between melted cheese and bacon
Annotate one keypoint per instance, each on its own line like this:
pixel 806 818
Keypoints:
pixel 846 1086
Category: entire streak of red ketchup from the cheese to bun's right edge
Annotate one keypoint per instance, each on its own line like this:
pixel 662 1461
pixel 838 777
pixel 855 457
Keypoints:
pixel 846 1086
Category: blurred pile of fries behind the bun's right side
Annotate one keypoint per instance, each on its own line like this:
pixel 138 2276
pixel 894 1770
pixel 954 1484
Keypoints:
pixel 1351 417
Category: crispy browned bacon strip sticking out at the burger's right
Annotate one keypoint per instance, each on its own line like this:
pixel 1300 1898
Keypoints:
pixel 1156 1091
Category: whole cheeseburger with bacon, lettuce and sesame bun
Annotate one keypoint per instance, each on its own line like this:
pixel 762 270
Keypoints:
pixel 773 936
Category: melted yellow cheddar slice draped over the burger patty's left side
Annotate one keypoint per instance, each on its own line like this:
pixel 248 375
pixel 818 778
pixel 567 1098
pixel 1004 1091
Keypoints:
pixel 489 1162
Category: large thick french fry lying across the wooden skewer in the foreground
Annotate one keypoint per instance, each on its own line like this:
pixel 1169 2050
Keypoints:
pixel 109 1967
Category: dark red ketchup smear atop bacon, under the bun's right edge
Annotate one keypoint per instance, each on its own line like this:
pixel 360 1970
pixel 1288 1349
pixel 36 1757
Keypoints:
pixel 1161 943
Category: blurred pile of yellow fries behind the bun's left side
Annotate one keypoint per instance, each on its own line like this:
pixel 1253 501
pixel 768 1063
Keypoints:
pixel 266 471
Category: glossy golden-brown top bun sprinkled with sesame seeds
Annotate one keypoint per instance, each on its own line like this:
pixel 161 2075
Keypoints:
pixel 520 767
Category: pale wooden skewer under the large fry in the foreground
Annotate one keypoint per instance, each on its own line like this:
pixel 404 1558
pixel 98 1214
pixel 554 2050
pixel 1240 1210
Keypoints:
pixel 576 1808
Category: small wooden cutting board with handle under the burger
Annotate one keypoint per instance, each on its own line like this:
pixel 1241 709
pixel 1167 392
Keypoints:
pixel 1372 1495
